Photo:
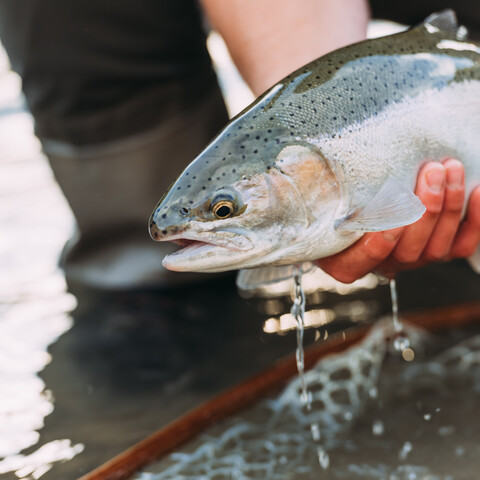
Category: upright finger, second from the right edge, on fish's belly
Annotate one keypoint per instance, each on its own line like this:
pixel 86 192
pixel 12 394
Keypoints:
pixel 448 222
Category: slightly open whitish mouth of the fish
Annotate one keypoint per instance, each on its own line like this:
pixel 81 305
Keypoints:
pixel 199 252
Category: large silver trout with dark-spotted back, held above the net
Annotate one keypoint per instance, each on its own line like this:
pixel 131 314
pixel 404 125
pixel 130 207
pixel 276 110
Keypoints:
pixel 328 153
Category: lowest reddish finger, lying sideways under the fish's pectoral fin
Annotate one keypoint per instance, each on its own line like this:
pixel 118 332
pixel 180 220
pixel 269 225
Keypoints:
pixel 362 257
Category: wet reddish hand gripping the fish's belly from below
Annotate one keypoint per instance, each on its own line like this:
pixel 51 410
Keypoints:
pixel 438 235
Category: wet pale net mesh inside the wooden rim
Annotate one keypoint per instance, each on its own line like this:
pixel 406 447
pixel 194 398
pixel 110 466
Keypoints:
pixel 273 441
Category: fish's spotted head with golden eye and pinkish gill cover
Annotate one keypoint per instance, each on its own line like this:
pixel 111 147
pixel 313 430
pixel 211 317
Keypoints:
pixel 239 204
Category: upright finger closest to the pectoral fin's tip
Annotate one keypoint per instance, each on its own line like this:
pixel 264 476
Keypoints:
pixel 430 190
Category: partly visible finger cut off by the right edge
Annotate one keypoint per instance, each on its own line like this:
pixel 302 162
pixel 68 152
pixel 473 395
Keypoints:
pixel 468 237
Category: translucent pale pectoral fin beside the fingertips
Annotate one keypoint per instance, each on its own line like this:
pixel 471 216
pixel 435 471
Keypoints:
pixel 393 206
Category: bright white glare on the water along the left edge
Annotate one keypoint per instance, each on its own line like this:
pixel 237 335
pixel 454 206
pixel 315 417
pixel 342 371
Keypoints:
pixel 34 305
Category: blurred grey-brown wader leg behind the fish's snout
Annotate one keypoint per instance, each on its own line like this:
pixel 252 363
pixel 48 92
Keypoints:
pixel 112 189
